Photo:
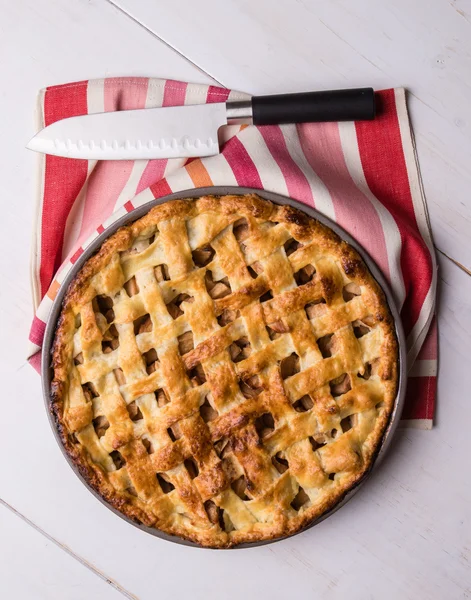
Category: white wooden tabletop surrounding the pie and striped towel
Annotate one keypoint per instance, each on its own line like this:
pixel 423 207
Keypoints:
pixel 407 533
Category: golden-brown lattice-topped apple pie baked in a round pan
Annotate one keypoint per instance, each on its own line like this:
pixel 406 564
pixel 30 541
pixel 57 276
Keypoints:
pixel 224 369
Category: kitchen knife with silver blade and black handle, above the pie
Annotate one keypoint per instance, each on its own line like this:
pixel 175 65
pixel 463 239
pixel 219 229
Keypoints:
pixel 185 131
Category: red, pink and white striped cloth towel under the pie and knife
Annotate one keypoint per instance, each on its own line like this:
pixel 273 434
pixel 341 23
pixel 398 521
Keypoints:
pixel 362 175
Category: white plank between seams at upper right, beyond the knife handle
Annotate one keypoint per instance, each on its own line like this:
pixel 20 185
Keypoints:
pixel 266 47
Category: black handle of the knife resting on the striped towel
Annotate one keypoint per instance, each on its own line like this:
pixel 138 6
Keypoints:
pixel 309 107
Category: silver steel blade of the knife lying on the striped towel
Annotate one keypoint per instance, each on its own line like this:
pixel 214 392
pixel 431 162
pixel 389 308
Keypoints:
pixel 170 132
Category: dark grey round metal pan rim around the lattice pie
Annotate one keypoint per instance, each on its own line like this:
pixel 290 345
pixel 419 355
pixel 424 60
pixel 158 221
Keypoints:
pixel 46 370
